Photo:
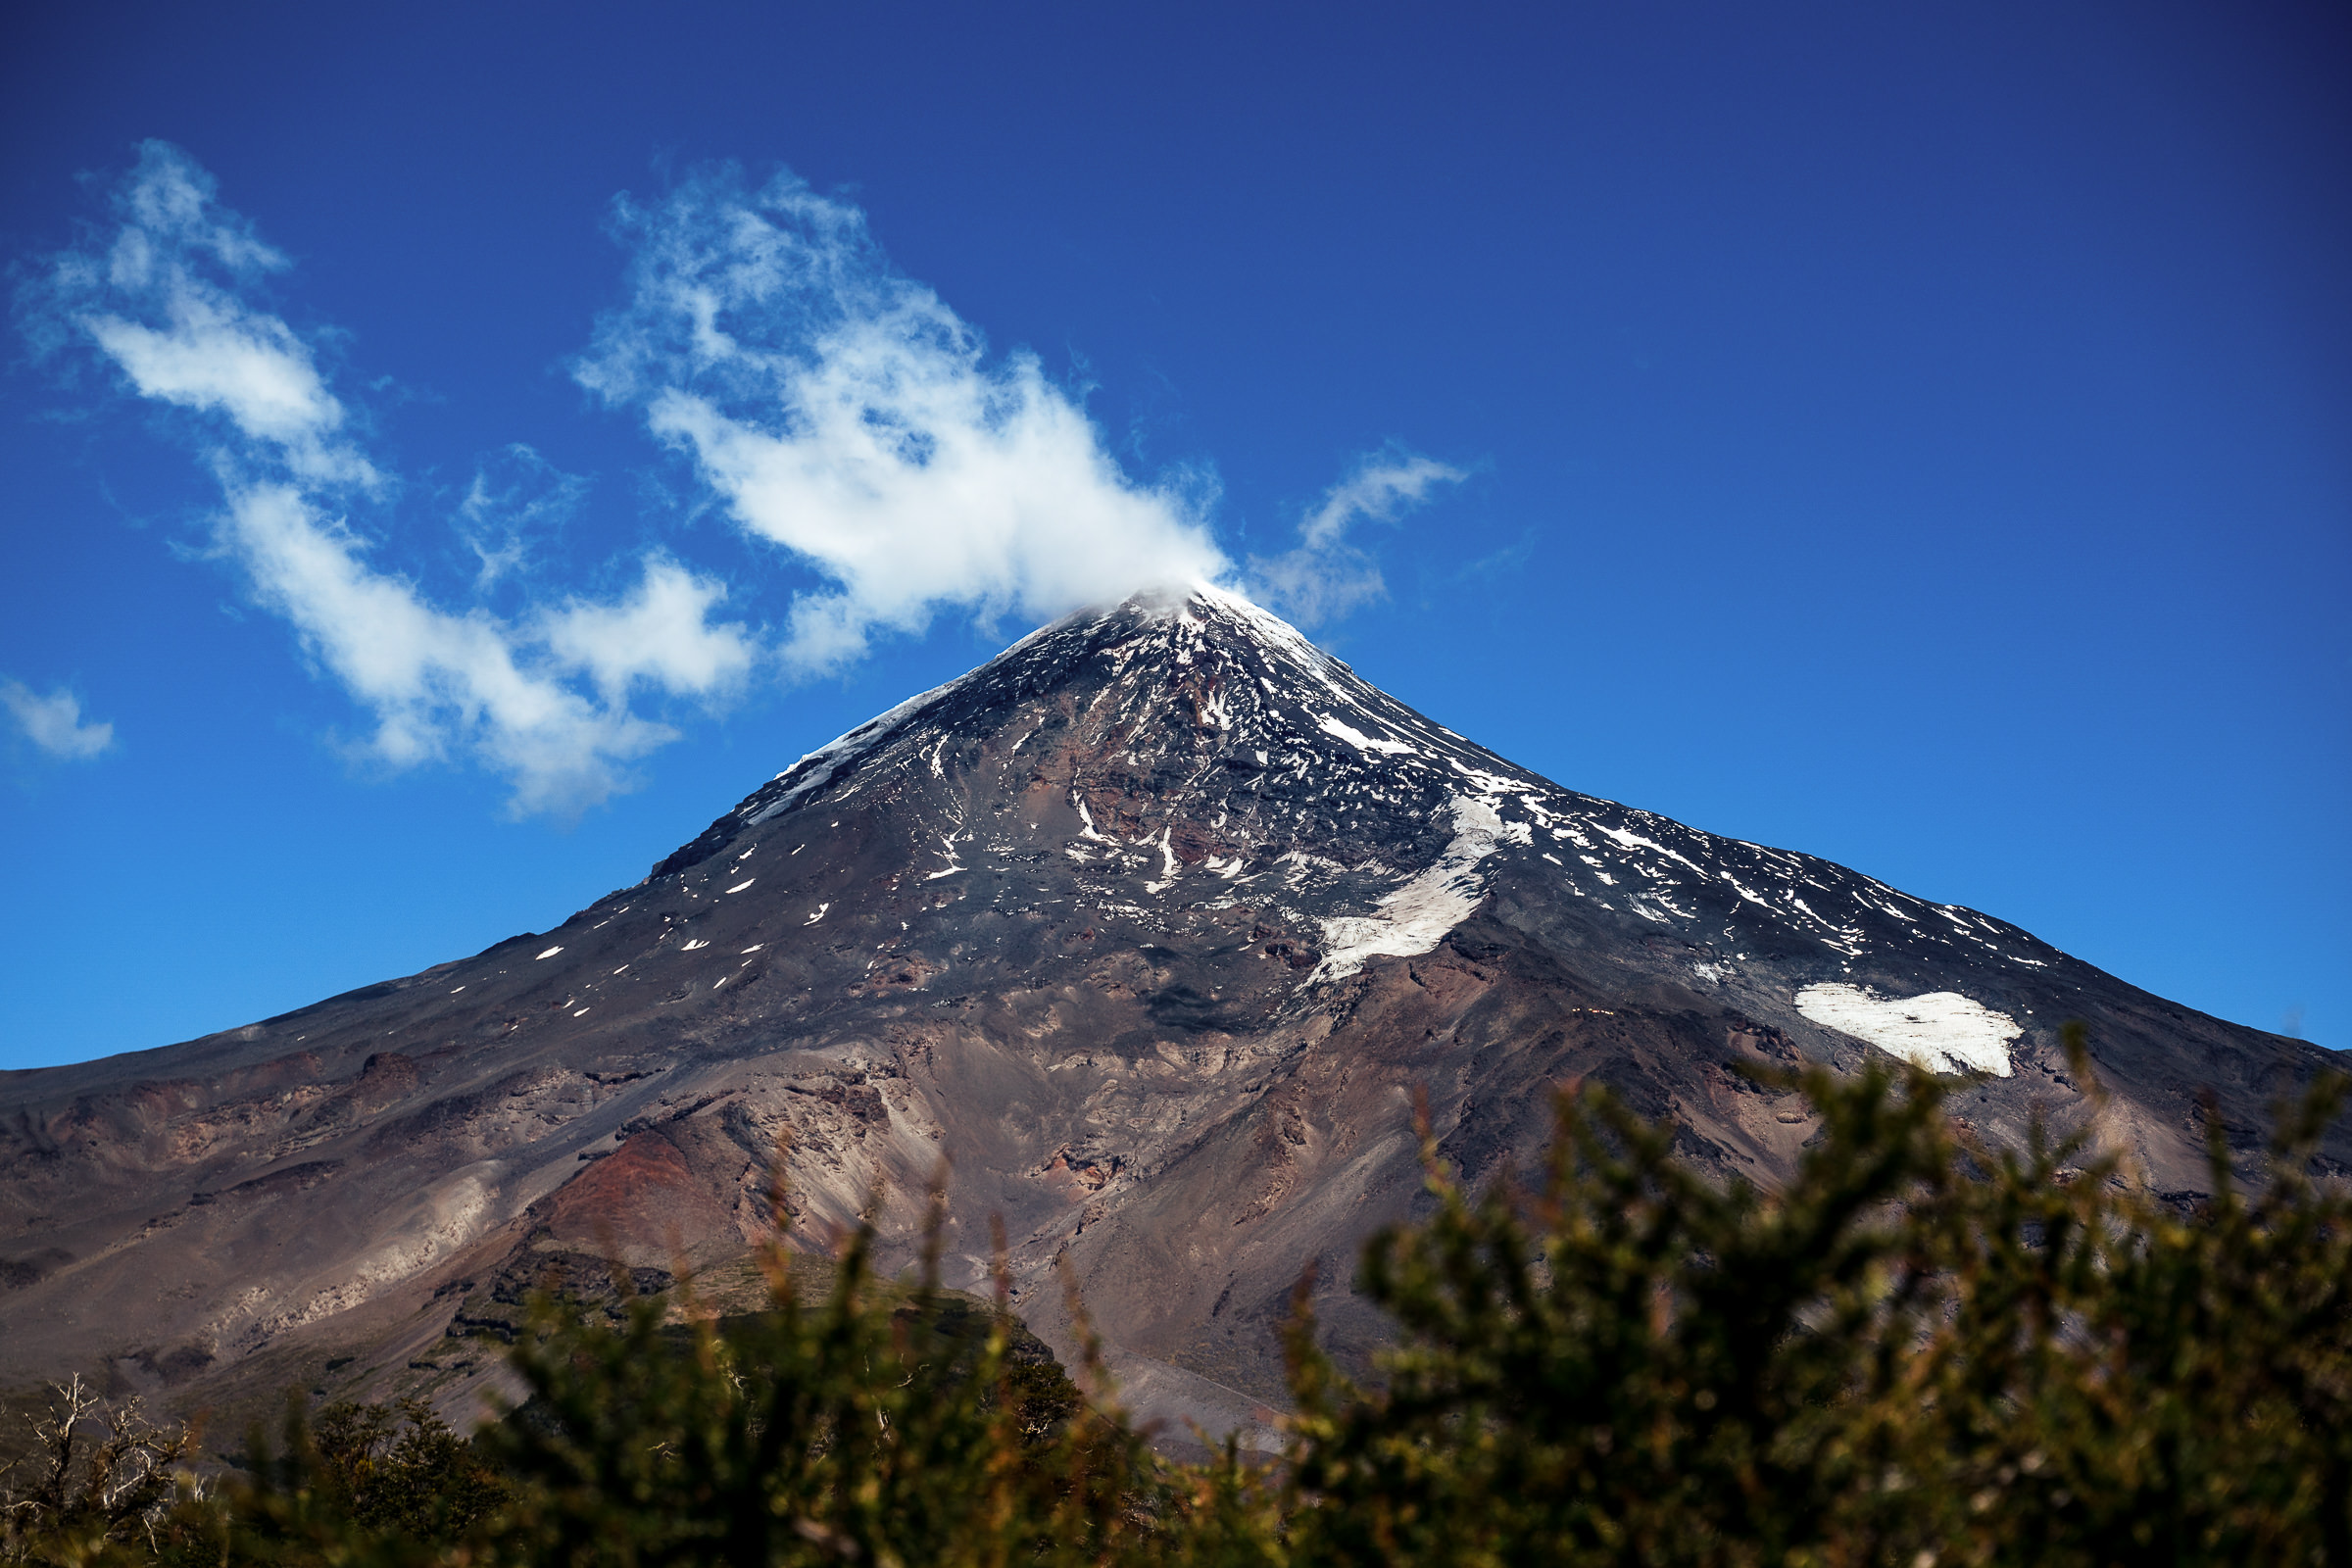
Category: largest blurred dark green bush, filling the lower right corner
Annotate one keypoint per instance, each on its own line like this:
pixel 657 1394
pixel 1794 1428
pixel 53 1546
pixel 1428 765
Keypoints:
pixel 1920 1353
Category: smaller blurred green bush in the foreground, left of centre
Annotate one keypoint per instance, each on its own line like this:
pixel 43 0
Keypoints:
pixel 860 1428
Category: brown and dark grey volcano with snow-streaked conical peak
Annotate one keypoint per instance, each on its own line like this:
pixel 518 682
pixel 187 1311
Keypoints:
pixel 1149 932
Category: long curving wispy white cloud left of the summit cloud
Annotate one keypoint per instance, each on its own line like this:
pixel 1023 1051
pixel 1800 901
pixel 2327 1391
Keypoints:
pixel 544 697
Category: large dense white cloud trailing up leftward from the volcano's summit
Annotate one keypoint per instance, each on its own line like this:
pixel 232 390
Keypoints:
pixel 848 415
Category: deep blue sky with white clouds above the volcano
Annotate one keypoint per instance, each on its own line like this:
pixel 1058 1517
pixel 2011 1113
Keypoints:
pixel 1913 436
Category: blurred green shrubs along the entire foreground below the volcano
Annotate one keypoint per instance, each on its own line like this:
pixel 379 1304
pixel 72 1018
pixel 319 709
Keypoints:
pixel 1925 1351
